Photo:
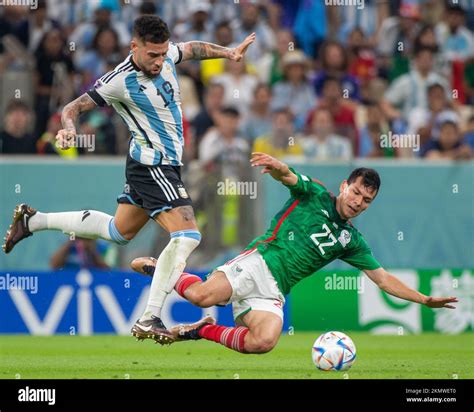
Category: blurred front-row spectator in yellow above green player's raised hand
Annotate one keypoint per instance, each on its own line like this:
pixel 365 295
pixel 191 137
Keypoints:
pixel 281 141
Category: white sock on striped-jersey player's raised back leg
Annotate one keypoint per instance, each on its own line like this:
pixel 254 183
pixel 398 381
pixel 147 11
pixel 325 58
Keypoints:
pixel 89 224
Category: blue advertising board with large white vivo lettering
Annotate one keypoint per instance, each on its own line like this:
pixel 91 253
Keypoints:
pixel 86 302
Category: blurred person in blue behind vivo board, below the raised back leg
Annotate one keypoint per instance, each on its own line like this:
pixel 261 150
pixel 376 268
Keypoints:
pixel 80 253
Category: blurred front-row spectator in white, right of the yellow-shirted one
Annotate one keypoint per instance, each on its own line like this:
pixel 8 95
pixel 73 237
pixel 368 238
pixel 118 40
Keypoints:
pixel 322 143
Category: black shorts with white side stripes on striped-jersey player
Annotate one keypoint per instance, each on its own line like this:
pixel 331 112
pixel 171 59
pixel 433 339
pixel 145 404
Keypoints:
pixel 153 188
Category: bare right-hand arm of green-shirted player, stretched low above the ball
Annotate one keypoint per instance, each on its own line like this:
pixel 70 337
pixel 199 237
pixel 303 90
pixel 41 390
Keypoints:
pixel 395 287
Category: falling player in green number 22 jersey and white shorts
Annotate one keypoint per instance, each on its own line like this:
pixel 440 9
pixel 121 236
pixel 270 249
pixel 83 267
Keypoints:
pixel 310 231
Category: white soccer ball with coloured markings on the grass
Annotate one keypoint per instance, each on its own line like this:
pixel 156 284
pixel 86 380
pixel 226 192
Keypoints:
pixel 334 351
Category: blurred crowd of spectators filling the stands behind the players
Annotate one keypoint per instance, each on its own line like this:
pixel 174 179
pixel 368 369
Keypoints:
pixel 321 82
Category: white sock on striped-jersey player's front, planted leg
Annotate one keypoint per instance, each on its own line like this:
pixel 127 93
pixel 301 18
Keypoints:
pixel 169 267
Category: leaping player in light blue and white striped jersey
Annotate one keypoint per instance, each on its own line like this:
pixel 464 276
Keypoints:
pixel 144 91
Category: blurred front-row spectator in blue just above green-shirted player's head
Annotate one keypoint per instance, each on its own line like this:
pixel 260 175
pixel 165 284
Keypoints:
pixel 370 135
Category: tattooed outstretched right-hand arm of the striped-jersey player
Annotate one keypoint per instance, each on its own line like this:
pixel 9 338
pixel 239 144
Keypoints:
pixel 200 50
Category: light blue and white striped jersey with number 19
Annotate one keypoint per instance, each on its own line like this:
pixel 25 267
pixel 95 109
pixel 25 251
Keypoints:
pixel 151 108
